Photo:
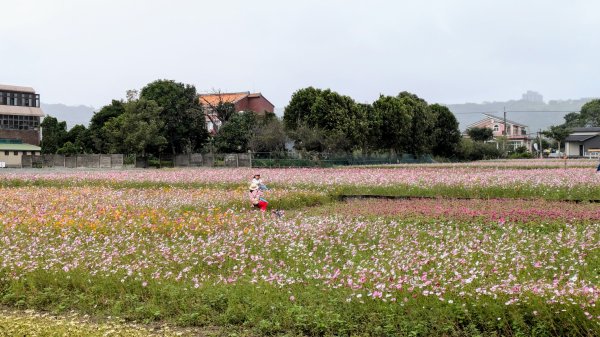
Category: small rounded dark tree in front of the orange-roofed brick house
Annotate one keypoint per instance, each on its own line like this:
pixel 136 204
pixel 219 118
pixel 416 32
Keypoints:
pixel 234 135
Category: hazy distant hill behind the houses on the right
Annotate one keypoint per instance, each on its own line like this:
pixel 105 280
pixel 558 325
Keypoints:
pixel 535 114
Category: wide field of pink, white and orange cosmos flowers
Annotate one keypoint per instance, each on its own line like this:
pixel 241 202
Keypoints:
pixel 182 247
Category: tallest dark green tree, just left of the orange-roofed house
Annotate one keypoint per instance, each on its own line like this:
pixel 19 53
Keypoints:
pixel 183 122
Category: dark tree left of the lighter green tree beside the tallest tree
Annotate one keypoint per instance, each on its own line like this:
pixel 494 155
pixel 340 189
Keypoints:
pixel 96 139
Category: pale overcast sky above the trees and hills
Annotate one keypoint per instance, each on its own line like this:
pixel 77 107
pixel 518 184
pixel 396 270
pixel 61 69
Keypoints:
pixel 445 51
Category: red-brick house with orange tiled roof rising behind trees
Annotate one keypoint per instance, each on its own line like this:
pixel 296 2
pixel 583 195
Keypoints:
pixel 242 101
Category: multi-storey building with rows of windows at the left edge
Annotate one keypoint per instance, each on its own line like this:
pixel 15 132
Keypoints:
pixel 20 114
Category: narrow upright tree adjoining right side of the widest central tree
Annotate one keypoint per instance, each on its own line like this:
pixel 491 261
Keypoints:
pixel 396 123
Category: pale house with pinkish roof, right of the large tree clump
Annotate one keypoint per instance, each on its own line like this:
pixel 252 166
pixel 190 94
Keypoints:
pixel 516 133
